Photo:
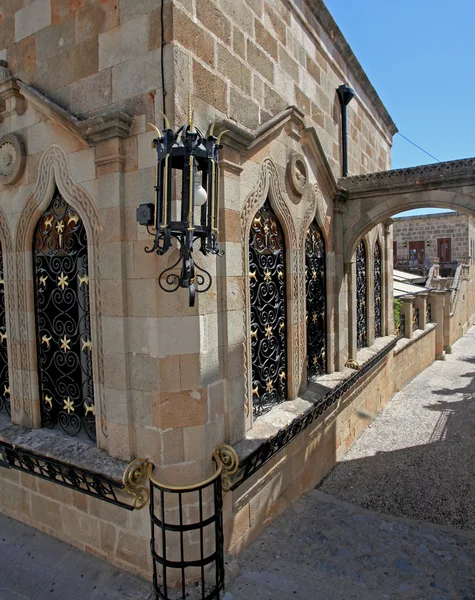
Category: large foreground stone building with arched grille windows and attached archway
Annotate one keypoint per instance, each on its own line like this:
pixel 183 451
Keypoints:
pixel 101 367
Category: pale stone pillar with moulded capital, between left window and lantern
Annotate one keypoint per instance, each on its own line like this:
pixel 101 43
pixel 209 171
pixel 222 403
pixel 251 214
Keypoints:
pixel 108 133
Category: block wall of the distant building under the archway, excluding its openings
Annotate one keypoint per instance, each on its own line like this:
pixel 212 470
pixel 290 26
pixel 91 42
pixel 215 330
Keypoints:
pixel 430 228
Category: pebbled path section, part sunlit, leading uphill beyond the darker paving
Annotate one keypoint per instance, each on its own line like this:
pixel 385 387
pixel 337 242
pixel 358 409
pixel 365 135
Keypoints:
pixel 417 459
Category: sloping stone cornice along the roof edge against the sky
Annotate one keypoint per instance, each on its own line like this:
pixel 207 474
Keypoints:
pixel 323 16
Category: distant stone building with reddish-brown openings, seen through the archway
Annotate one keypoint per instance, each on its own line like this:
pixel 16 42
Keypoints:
pixel 446 236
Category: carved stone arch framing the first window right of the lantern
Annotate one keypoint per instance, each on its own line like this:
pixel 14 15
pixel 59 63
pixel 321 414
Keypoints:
pixel 268 186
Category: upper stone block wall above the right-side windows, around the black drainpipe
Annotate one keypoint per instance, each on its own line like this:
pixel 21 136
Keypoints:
pixel 250 60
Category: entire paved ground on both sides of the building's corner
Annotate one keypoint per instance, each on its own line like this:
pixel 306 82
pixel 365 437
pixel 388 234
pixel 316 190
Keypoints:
pixel 416 459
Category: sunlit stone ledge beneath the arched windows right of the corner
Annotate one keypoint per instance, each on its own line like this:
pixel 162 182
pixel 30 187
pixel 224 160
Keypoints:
pixel 281 416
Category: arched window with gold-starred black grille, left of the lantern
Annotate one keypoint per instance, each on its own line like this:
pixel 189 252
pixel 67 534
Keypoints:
pixel 63 320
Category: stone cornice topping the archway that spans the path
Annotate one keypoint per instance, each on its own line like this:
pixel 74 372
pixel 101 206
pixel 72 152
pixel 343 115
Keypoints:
pixel 426 177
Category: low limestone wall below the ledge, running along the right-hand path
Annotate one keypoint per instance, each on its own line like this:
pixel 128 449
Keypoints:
pixel 306 460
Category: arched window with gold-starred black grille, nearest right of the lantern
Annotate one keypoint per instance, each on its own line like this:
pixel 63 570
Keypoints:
pixel 268 311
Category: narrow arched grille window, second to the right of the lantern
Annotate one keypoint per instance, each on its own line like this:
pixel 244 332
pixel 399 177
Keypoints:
pixel 315 274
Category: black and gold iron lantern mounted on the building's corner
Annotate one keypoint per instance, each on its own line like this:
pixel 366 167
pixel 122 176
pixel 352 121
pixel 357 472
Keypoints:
pixel 185 156
